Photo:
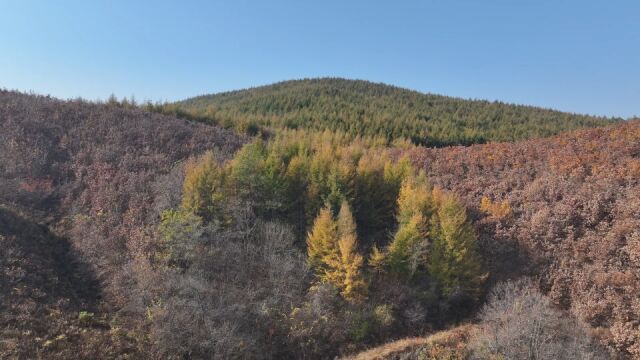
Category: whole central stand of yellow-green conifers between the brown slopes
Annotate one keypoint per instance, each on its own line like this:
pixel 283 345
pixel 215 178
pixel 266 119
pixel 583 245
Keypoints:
pixel 365 214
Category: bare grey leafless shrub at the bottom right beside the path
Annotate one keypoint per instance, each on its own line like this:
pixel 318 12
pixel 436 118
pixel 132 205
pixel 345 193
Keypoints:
pixel 518 322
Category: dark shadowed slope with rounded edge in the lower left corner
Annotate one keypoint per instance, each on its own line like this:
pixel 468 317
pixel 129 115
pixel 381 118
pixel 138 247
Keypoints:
pixel 44 288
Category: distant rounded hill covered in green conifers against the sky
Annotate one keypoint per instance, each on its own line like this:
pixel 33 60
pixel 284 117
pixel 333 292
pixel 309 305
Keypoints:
pixel 366 108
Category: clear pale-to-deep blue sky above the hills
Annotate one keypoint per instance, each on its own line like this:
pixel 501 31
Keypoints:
pixel 580 56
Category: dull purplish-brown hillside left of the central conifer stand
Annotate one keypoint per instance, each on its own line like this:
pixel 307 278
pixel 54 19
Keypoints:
pixel 80 185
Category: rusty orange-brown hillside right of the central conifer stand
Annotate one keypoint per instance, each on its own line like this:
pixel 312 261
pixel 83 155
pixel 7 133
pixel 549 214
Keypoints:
pixel 574 219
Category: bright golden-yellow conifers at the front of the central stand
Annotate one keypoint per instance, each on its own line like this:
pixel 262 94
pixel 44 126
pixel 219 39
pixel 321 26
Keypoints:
pixel 433 238
